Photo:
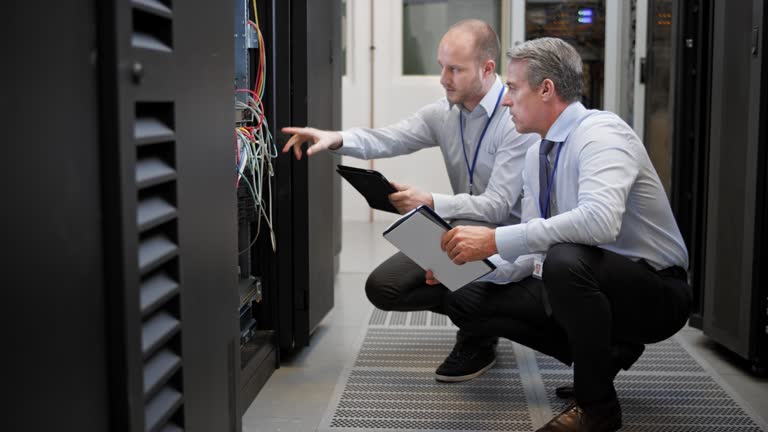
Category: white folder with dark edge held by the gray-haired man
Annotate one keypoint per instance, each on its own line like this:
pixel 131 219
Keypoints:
pixel 417 234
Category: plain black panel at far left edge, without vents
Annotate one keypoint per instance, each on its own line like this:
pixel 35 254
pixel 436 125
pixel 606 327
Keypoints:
pixel 55 368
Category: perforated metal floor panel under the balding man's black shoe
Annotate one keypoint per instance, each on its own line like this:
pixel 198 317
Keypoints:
pixel 392 386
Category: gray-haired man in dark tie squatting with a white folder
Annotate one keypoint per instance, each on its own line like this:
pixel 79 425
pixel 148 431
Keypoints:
pixel 597 250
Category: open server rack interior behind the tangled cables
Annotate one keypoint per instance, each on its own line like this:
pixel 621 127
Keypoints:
pixel 257 354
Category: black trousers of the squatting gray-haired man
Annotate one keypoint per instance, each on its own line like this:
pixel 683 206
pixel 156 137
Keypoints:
pixel 598 298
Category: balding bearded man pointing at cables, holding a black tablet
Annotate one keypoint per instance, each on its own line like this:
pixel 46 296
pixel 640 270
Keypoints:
pixel 483 154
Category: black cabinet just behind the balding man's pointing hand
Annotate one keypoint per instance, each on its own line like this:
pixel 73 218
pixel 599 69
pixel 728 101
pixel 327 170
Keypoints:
pixel 303 88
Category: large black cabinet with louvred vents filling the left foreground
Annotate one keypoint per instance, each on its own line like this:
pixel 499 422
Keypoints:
pixel 120 269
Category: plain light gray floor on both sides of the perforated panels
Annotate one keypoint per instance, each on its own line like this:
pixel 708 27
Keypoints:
pixel 297 395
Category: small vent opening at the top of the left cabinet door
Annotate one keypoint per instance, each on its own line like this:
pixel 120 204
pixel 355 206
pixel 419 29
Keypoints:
pixel 152 25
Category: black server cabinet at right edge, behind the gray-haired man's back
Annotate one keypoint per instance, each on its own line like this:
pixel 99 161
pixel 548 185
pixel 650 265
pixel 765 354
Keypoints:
pixel 735 296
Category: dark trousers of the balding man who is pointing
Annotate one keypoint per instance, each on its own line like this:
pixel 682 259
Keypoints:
pixel 398 284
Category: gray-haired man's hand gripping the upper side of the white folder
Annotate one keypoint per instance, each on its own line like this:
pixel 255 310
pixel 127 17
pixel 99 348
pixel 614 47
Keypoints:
pixel 469 243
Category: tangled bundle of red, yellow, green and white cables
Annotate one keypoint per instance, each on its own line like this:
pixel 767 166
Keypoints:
pixel 255 148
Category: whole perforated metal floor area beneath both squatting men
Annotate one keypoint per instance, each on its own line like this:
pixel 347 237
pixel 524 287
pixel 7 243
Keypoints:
pixel 391 387
